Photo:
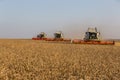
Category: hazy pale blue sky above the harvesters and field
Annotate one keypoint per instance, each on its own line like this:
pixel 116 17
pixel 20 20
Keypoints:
pixel 26 18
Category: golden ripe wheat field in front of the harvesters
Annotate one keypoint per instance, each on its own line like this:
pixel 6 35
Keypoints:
pixel 40 60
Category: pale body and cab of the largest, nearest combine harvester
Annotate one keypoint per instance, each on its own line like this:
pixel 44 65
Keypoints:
pixel 92 35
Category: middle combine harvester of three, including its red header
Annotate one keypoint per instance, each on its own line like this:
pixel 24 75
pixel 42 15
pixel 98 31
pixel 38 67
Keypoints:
pixel 58 36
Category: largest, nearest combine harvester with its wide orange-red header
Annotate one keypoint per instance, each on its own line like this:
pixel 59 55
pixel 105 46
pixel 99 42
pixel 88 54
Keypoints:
pixel 92 36
